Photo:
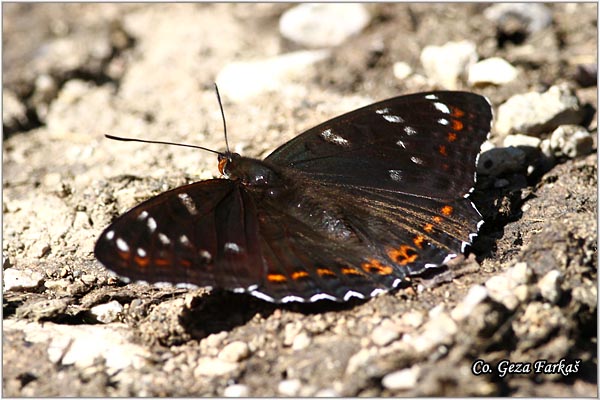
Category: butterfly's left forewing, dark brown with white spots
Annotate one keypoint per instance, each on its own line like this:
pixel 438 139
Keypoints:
pixel 204 234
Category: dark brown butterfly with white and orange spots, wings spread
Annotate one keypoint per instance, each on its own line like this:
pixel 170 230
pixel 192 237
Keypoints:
pixel 347 209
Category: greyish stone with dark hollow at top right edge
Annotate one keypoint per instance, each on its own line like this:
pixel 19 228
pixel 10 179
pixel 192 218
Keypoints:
pixel 531 17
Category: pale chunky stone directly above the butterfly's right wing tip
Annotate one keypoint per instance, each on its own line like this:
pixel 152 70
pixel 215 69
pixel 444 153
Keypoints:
pixel 445 64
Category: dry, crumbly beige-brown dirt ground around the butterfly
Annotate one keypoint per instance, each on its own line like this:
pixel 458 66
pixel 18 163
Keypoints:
pixel 74 72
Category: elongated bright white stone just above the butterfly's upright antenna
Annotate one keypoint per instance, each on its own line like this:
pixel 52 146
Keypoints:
pixel 242 80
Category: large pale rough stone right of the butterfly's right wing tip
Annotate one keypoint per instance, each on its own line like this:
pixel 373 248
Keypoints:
pixel 538 113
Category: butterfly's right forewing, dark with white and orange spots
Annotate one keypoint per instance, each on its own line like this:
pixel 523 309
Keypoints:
pixel 423 144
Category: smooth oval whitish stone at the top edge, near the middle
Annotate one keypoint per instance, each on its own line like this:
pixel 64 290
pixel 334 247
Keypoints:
pixel 310 24
